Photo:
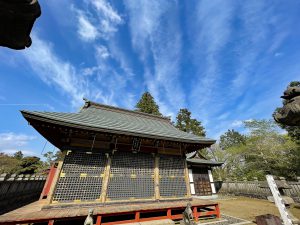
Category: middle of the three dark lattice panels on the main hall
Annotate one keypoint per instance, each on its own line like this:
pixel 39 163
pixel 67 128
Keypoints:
pixel 131 176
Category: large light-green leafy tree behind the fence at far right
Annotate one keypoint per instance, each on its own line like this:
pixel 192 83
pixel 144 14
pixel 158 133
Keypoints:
pixel 268 151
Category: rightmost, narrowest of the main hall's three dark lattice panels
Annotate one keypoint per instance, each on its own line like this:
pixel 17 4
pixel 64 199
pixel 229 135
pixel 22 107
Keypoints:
pixel 172 180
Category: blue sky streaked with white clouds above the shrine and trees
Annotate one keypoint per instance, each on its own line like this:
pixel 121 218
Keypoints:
pixel 226 61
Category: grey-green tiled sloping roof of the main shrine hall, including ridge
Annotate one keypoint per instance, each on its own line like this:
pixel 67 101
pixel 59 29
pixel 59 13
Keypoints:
pixel 98 117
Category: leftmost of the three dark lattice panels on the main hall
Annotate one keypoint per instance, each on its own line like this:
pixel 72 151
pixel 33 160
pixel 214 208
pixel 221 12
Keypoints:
pixel 81 177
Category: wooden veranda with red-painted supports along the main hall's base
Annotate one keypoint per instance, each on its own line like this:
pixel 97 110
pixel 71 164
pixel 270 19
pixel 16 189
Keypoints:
pixel 109 214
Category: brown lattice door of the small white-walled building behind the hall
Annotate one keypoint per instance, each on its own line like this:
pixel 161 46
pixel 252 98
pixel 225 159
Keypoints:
pixel 201 182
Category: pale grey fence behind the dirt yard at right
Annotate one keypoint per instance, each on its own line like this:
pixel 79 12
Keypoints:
pixel 253 188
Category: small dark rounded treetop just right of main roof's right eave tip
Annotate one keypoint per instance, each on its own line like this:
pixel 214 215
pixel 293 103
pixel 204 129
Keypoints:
pixel 231 138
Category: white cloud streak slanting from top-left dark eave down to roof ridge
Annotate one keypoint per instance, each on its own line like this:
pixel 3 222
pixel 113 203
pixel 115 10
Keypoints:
pixel 65 77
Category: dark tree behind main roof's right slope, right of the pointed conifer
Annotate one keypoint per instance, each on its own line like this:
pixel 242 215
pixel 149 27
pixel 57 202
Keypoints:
pixel 185 123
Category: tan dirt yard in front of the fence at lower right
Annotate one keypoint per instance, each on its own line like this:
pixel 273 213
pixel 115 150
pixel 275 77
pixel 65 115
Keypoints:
pixel 248 208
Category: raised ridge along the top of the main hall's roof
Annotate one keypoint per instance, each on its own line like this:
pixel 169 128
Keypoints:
pixel 89 103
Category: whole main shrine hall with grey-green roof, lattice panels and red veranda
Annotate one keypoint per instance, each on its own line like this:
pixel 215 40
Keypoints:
pixel 126 165
